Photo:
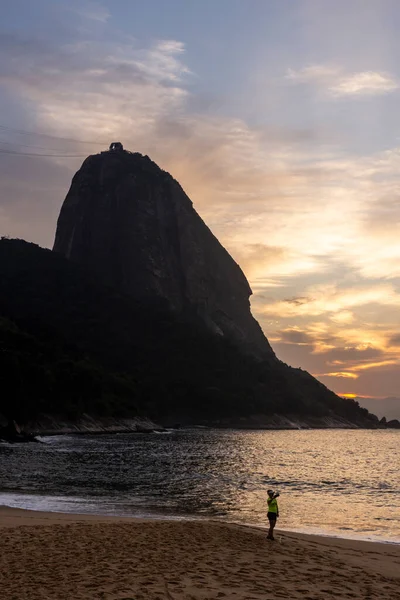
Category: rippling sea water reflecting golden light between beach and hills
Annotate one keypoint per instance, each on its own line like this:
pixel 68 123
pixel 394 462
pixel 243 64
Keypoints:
pixel 335 482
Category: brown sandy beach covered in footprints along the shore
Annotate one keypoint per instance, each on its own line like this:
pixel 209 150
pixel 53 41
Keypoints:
pixel 51 556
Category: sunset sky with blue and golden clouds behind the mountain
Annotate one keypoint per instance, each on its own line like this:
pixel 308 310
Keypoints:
pixel 279 119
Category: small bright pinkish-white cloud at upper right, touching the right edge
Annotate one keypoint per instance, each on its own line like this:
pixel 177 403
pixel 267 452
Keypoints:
pixel 335 82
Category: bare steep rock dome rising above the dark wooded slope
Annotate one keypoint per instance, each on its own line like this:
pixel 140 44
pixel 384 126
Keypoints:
pixel 133 225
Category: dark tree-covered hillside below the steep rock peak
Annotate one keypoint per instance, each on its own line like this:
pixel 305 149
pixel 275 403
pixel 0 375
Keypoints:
pixel 70 345
